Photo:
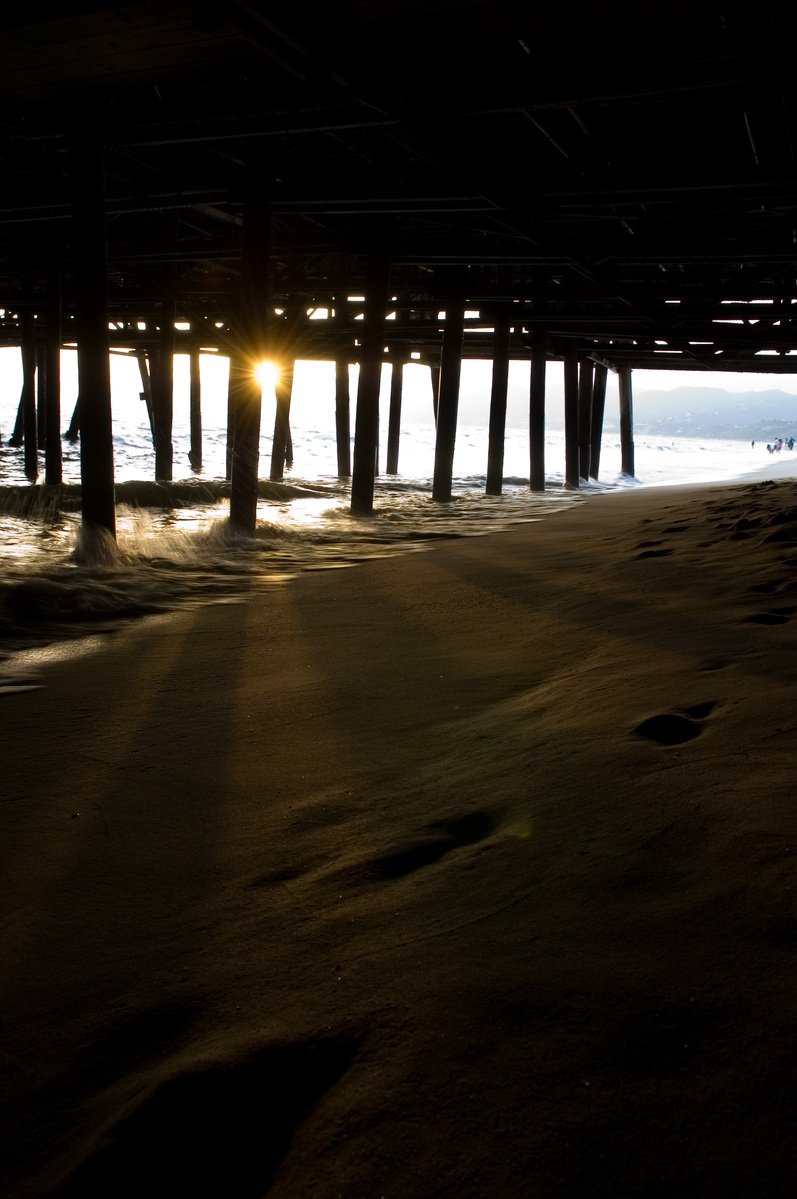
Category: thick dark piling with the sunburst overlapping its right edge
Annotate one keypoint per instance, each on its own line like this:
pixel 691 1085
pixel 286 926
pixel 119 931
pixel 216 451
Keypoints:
pixel 253 340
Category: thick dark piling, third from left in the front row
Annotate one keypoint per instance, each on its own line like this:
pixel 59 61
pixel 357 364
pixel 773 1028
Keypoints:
pixel 369 387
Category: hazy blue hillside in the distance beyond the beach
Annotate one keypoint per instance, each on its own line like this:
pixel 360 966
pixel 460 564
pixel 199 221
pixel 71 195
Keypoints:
pixel 713 413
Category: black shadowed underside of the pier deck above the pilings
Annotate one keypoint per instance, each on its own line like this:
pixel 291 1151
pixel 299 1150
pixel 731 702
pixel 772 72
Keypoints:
pixel 624 177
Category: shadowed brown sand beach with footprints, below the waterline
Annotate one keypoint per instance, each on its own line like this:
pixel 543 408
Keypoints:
pixel 469 873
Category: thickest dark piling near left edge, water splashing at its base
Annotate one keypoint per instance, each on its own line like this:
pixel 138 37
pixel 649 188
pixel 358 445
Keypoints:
pixel 92 312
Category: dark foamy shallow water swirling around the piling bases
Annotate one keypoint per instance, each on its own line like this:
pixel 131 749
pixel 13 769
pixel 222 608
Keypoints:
pixel 176 547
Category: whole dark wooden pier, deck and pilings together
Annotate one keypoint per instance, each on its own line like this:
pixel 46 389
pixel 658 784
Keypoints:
pixel 488 183
